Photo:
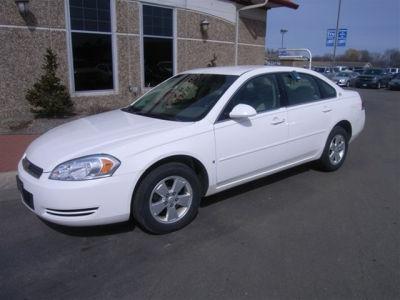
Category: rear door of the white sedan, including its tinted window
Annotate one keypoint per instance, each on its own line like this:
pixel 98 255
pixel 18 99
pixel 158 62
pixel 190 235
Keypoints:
pixel 309 111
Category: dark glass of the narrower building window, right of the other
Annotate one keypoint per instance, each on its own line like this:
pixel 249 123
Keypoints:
pixel 158 44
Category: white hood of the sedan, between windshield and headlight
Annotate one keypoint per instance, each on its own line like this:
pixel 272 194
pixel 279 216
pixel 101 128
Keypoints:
pixel 97 134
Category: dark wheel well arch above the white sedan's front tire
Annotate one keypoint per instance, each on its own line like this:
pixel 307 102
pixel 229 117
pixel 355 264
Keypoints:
pixel 190 161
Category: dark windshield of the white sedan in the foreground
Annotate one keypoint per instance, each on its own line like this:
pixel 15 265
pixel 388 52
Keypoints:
pixel 186 97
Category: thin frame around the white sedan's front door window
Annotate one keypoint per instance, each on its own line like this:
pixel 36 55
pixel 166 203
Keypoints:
pixel 282 100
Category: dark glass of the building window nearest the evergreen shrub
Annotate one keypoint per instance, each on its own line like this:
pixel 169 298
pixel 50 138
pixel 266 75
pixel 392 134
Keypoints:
pixel 91 41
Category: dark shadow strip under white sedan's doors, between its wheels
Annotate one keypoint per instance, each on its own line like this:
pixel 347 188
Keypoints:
pixel 262 182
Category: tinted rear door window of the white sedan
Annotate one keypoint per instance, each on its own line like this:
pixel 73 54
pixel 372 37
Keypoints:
pixel 301 88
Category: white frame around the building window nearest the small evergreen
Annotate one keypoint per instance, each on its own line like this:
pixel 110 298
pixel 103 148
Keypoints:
pixel 114 53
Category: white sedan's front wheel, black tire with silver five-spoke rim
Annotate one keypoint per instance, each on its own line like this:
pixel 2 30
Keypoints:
pixel 154 212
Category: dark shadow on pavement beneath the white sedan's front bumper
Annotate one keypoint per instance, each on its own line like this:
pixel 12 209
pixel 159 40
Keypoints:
pixel 100 230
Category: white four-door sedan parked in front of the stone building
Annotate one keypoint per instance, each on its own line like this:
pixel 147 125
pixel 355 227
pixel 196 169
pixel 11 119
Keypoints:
pixel 198 133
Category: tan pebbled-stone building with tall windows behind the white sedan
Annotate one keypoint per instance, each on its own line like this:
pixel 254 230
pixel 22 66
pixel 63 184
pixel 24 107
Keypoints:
pixel 110 51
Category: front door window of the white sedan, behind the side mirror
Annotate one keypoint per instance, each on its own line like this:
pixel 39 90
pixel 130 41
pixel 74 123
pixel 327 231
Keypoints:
pixel 261 93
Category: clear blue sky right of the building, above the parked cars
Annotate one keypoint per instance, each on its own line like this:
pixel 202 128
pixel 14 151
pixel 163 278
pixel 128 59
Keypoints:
pixel 373 25
